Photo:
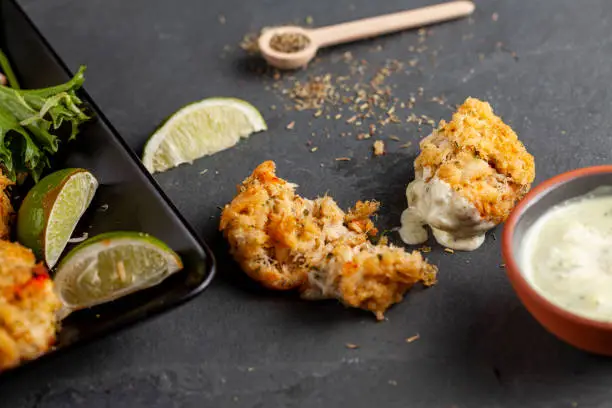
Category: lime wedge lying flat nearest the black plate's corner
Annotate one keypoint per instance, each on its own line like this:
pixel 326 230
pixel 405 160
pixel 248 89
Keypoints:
pixel 112 265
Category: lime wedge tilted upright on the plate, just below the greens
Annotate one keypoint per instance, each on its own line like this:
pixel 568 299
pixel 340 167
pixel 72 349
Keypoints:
pixel 51 210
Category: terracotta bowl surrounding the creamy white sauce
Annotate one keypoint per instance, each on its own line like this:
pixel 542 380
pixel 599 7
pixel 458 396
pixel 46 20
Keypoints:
pixel 587 334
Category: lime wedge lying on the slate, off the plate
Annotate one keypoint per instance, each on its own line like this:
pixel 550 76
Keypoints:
pixel 200 129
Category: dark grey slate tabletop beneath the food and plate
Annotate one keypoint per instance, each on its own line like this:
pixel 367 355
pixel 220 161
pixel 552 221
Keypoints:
pixel 239 346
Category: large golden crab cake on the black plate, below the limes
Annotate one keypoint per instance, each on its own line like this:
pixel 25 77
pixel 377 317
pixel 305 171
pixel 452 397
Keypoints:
pixel 28 306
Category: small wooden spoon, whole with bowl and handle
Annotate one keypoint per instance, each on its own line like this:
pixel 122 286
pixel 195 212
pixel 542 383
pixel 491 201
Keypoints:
pixel 356 30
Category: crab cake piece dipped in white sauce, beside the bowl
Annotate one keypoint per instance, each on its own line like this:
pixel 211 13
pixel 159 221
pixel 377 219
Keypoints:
pixel 469 175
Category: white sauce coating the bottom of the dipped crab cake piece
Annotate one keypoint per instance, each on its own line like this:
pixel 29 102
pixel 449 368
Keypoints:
pixel 455 222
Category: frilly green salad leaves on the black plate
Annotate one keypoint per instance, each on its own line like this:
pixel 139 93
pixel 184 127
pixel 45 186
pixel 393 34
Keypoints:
pixel 30 120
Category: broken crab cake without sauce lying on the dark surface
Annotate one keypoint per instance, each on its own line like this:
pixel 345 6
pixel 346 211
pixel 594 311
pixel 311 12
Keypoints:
pixel 286 242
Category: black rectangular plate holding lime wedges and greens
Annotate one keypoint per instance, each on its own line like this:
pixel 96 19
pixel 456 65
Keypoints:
pixel 128 198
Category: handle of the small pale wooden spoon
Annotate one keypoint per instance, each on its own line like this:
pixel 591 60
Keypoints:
pixel 370 27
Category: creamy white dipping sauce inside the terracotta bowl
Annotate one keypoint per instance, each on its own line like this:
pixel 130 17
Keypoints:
pixel 567 255
